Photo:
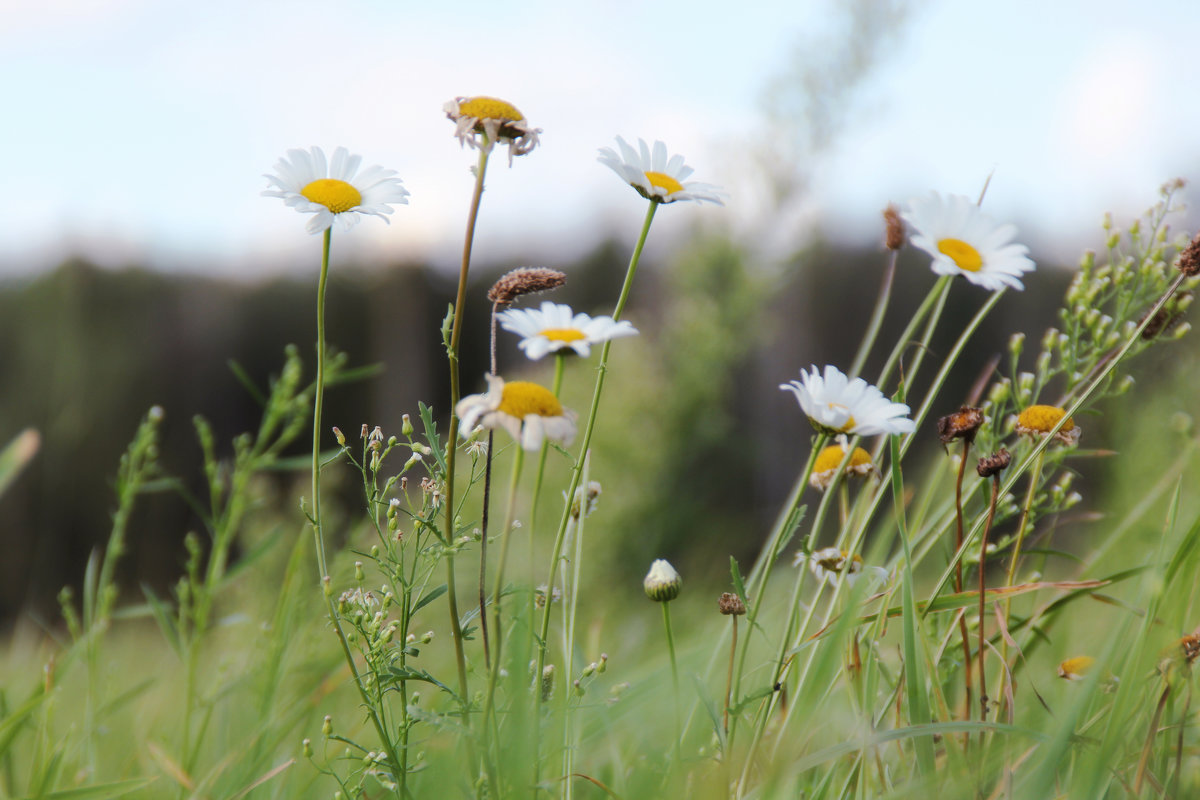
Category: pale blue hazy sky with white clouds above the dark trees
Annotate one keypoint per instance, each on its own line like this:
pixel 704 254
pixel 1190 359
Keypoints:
pixel 141 129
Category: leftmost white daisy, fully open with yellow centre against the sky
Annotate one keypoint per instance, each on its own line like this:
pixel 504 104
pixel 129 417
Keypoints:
pixel 335 191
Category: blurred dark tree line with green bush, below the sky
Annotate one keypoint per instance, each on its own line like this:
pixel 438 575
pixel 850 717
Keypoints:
pixel 697 446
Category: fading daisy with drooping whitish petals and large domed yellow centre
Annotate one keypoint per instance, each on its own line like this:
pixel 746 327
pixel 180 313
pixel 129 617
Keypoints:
pixel 529 412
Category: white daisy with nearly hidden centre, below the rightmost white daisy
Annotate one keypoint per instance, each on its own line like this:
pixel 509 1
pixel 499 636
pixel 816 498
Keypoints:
pixel 837 405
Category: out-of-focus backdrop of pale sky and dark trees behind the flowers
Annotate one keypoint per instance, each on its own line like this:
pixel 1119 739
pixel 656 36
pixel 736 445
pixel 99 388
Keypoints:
pixel 139 260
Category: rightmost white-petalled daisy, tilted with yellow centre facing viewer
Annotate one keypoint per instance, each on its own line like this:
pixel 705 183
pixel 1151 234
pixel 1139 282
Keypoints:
pixel 965 242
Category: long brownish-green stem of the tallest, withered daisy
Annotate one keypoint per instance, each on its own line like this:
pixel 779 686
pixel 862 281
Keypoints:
pixel 453 435
